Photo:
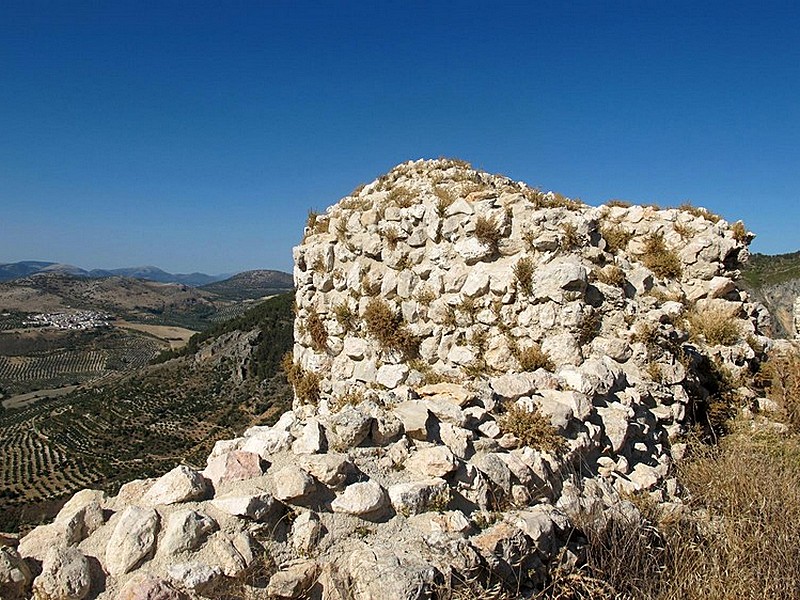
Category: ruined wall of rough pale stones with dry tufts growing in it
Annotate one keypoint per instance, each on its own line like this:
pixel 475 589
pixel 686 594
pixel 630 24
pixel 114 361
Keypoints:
pixel 477 364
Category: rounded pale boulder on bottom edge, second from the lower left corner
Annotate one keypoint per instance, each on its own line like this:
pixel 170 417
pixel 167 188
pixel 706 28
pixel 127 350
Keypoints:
pixel 65 575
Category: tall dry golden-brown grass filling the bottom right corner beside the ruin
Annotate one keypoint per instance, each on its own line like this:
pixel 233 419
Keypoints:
pixel 738 539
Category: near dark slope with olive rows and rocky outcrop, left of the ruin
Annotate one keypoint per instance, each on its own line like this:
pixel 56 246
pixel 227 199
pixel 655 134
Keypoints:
pixel 145 423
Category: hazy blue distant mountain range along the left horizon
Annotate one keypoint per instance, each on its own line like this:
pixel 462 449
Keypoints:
pixel 28 268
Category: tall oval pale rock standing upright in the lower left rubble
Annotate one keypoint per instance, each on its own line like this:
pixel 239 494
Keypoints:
pixel 132 541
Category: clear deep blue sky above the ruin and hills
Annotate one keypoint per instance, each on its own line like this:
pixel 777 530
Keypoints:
pixel 196 135
